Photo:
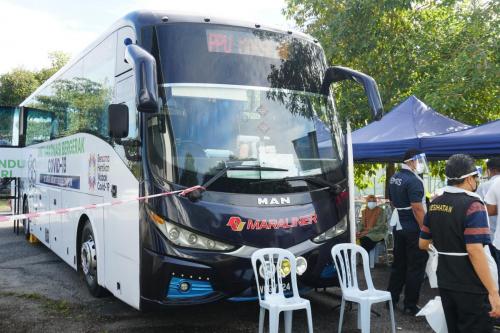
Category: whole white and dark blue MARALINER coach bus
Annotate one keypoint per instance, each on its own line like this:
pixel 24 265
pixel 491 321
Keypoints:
pixel 240 114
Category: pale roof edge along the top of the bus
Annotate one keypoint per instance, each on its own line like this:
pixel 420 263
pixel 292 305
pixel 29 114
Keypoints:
pixel 144 18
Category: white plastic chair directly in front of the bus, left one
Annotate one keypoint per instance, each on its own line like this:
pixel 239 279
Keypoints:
pixel 272 296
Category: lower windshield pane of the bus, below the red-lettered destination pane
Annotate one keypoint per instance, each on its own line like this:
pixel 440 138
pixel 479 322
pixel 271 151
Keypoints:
pixel 202 129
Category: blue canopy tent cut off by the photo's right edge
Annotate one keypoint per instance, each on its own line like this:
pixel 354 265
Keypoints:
pixel 480 142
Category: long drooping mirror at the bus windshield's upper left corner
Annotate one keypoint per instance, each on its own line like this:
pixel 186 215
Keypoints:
pixel 146 85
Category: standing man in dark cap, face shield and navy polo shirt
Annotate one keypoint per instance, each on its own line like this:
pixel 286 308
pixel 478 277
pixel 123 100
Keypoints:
pixel 407 195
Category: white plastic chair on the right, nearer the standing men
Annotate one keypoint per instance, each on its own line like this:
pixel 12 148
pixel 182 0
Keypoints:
pixel 344 257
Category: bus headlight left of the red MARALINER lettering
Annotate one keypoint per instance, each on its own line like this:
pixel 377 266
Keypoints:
pixel 186 238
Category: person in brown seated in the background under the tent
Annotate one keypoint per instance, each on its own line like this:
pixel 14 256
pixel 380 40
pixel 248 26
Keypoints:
pixel 374 227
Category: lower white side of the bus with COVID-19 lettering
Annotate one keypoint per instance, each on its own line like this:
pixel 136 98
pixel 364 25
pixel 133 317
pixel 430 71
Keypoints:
pixel 82 169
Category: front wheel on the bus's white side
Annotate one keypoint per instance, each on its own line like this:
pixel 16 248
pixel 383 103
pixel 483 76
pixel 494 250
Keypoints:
pixel 89 260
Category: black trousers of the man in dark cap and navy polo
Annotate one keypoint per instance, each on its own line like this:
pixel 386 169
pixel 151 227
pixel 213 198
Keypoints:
pixel 408 267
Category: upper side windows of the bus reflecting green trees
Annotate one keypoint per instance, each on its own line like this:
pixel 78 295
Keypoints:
pixel 77 100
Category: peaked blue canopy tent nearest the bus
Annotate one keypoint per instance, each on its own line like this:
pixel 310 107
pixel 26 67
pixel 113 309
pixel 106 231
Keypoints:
pixel 402 128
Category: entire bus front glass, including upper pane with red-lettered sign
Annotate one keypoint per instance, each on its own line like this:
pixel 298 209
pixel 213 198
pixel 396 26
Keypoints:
pixel 250 97
